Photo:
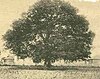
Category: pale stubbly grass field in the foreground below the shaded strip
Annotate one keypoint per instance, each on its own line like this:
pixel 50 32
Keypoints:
pixel 82 73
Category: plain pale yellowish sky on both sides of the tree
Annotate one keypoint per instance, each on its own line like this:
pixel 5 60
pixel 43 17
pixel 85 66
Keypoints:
pixel 10 10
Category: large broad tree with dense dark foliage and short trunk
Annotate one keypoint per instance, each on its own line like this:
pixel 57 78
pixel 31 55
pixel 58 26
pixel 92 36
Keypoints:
pixel 50 30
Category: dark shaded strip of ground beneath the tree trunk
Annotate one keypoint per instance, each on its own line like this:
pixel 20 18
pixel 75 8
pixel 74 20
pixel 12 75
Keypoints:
pixel 40 67
